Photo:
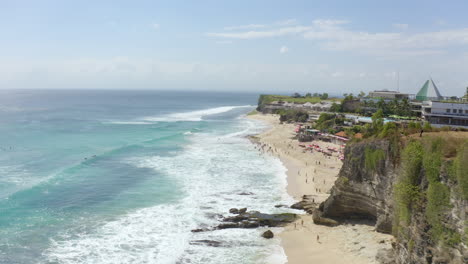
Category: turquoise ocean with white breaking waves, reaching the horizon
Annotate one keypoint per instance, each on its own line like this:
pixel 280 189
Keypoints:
pixel 124 176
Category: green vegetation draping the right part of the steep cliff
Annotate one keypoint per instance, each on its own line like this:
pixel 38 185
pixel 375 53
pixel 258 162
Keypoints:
pixel 423 165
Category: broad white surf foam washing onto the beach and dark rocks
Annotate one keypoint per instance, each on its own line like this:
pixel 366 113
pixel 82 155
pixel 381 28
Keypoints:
pixel 213 170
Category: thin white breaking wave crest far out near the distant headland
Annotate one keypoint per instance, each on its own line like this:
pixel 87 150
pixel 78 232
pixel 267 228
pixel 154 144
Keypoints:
pixel 193 115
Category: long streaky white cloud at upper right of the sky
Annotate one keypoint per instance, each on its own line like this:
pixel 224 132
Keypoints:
pixel 334 35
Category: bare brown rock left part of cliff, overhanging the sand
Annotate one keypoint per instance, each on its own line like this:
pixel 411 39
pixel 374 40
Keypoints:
pixel 360 192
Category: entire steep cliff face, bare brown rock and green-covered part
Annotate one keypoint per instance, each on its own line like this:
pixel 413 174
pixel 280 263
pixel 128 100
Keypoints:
pixel 434 227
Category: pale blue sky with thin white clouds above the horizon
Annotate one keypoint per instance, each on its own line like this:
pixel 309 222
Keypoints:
pixel 256 45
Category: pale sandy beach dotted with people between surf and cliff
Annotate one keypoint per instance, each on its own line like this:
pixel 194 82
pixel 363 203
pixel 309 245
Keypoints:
pixel 314 174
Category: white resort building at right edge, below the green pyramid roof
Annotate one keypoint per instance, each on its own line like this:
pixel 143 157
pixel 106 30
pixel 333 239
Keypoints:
pixel 445 113
